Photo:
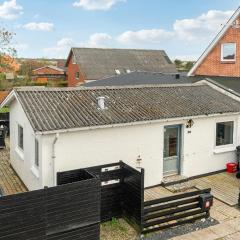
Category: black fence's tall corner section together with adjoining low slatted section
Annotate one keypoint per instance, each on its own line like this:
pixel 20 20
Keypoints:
pixel 122 195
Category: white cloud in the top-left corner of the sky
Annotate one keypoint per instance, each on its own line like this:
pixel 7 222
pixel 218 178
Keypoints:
pixel 10 10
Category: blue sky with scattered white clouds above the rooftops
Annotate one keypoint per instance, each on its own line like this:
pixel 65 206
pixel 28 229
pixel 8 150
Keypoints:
pixel 48 28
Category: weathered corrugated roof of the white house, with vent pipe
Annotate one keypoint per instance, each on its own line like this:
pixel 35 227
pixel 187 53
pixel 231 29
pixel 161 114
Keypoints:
pixel 51 109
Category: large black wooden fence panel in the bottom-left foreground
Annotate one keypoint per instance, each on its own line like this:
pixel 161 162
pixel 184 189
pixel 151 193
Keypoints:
pixel 66 212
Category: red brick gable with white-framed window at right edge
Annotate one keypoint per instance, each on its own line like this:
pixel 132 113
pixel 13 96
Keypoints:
pixel 222 56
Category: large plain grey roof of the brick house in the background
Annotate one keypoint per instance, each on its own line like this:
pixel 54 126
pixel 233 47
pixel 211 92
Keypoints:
pixel 98 63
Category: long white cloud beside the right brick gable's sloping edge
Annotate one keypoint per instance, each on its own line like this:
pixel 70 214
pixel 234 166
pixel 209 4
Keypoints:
pixel 203 27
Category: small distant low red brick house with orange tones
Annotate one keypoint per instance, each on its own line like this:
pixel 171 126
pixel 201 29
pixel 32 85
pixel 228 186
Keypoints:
pixel 48 73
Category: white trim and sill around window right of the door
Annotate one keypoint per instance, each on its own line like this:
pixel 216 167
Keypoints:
pixel 227 147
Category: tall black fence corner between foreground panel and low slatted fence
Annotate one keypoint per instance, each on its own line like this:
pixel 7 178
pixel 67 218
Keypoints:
pixel 122 190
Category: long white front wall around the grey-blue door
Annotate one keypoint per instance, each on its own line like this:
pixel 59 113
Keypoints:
pixel 102 146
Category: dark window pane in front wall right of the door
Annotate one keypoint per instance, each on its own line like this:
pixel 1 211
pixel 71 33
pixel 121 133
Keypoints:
pixel 224 133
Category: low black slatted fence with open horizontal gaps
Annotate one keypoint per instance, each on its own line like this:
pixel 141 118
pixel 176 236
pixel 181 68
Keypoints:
pixel 174 210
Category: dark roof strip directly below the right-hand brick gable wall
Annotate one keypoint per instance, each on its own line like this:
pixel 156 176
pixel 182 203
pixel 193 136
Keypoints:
pixel 228 83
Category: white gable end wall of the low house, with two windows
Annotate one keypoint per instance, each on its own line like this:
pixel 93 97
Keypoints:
pixel 23 161
